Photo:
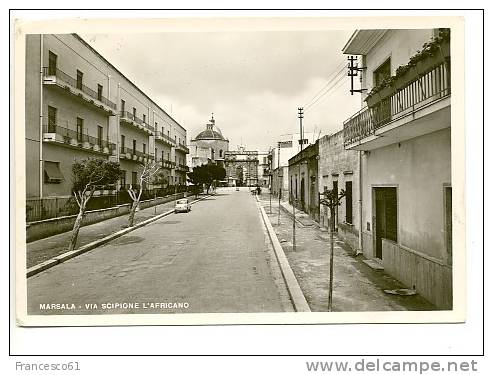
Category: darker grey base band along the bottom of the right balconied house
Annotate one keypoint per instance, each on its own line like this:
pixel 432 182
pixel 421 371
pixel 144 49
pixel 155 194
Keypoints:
pixel 431 278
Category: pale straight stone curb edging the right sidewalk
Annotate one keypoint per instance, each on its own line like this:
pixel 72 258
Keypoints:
pixel 294 289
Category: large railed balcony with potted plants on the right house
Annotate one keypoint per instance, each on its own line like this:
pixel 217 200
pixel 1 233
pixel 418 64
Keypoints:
pixel 423 100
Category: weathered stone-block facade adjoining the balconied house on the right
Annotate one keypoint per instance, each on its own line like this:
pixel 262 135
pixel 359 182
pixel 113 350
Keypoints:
pixel 339 169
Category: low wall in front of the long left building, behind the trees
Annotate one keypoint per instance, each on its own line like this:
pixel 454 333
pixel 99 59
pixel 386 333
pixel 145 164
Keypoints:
pixel 37 230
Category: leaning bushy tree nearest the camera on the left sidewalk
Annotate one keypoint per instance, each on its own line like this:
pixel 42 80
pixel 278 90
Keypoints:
pixel 87 175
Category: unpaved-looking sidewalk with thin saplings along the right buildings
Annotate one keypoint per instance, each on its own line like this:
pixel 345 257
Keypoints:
pixel 357 287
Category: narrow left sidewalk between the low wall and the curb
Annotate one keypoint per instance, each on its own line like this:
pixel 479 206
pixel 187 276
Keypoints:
pixel 47 248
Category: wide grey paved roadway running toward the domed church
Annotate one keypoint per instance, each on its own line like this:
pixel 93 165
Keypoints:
pixel 214 259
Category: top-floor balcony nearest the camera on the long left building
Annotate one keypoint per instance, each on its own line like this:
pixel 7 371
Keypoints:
pixel 58 78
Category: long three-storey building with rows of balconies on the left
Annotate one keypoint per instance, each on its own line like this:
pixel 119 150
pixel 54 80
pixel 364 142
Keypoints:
pixel 78 105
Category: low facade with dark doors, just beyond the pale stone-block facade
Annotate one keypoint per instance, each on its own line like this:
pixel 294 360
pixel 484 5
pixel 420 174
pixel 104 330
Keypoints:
pixel 303 181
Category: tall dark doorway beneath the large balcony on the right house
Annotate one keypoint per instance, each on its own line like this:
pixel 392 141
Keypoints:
pixel 385 217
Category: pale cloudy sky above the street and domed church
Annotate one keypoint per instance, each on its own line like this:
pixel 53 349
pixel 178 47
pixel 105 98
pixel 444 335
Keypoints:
pixel 252 81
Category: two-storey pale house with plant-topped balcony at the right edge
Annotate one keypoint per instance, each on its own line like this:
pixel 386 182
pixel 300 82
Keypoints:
pixel 403 135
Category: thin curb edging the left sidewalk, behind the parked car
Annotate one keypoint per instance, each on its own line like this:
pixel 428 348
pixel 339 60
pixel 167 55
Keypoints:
pixel 92 245
